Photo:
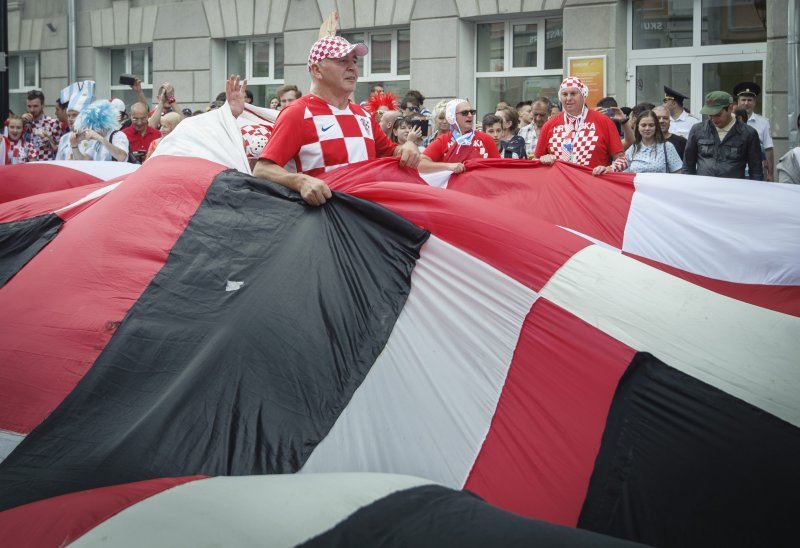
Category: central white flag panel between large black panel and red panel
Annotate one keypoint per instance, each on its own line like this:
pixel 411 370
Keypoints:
pixel 426 406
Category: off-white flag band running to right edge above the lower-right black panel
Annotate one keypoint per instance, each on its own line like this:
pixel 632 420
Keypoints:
pixel 747 351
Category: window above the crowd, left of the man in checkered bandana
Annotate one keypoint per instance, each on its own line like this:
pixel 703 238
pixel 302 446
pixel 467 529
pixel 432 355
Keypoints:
pixel 517 61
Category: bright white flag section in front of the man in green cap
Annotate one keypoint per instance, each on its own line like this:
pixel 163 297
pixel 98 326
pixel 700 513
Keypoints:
pixel 728 229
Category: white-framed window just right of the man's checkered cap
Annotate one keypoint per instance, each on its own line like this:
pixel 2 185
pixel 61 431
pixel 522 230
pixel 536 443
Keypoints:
pixel 388 61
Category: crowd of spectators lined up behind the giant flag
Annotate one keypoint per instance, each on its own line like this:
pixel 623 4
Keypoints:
pixel 652 137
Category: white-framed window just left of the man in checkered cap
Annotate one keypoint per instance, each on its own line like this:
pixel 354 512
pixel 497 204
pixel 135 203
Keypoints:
pixel 260 60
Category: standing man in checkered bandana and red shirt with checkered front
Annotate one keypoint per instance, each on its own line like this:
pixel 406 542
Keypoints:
pixel 580 136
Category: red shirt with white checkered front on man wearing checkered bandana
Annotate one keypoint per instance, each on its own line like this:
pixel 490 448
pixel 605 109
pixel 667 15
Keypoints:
pixel 594 144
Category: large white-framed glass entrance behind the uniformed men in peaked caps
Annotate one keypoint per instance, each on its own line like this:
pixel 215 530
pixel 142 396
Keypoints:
pixel 694 46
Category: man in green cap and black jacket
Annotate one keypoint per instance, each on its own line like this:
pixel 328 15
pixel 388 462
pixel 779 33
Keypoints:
pixel 722 146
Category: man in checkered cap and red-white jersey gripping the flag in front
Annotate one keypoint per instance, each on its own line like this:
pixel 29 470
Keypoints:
pixel 324 129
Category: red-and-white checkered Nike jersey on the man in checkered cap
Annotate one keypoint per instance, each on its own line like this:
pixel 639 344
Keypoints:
pixel 312 137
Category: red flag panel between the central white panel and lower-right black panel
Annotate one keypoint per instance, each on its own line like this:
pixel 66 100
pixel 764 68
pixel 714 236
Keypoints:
pixel 559 389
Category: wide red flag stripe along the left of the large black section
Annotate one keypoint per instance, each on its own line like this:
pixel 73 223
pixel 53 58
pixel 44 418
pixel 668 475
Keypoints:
pixel 47 348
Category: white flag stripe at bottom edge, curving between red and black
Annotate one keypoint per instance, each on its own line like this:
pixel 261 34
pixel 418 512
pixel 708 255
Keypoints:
pixel 279 510
